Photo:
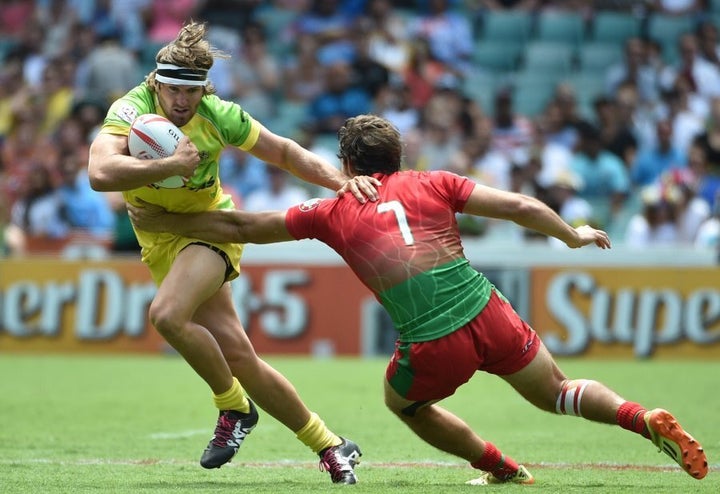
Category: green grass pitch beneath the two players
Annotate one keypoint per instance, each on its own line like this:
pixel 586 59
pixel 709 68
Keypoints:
pixel 73 424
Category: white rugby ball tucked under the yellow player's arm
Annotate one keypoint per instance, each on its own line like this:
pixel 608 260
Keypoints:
pixel 153 137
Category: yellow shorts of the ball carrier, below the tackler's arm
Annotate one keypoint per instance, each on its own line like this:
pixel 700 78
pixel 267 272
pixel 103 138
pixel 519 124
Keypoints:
pixel 160 250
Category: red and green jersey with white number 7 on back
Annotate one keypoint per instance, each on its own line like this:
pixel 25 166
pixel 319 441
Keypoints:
pixel 406 248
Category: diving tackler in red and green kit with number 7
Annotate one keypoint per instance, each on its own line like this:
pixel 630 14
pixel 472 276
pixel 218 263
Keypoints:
pixel 452 322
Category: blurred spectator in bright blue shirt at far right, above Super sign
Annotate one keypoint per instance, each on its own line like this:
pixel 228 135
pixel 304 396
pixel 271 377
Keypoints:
pixel 652 163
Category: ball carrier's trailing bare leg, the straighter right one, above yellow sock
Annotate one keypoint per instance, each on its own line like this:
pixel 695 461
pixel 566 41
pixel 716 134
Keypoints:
pixel 270 390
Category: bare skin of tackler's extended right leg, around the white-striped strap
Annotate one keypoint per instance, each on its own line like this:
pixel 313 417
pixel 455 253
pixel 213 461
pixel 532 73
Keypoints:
pixel 542 381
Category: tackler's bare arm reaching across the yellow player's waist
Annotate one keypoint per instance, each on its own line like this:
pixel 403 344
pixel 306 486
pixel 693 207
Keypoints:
pixel 213 226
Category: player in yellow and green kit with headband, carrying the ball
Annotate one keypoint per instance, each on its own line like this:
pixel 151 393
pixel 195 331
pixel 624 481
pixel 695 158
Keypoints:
pixel 193 308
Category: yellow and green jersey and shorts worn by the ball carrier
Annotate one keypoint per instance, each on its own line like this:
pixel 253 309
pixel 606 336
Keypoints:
pixel 215 125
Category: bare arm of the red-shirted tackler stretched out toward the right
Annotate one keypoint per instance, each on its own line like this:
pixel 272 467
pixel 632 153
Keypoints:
pixel 532 213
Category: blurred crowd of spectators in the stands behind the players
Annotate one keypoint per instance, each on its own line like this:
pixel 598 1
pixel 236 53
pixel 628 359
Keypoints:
pixel 639 156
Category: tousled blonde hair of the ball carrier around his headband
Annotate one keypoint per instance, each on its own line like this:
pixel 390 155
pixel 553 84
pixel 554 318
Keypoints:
pixel 190 49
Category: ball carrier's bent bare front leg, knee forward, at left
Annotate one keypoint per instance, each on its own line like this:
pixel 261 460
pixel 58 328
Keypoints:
pixel 195 275
